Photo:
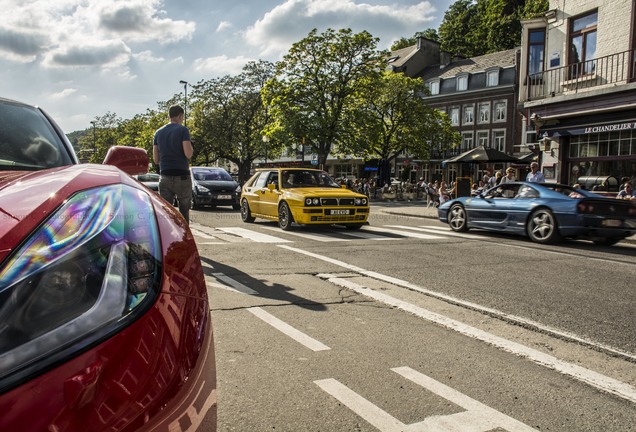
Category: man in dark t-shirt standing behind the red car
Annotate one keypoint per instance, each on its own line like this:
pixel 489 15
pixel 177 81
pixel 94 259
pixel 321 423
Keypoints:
pixel 171 151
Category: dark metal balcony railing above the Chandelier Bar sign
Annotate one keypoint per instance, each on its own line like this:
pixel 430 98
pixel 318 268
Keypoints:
pixel 603 71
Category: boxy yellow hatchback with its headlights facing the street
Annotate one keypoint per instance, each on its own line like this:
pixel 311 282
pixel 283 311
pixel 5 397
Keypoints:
pixel 301 195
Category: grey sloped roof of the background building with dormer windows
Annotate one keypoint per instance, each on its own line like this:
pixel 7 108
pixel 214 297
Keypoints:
pixel 502 59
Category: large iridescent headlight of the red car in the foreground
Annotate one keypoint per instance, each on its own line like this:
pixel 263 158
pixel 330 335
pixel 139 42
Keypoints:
pixel 79 276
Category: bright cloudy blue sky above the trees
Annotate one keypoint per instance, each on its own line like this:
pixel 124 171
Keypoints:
pixel 83 59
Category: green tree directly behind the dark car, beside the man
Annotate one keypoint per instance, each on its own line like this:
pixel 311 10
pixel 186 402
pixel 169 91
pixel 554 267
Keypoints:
pixel 229 118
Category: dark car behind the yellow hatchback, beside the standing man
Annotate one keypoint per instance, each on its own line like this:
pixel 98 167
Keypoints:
pixel 213 186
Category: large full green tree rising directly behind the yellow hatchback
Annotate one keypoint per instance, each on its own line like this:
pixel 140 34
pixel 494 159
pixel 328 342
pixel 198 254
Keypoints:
pixel 317 83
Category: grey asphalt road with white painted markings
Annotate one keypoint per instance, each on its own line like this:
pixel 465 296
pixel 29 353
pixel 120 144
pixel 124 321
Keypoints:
pixel 404 325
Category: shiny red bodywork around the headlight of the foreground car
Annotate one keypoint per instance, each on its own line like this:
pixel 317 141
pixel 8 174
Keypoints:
pixel 159 372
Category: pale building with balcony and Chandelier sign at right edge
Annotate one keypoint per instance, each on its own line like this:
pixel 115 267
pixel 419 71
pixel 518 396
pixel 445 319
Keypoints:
pixel 578 91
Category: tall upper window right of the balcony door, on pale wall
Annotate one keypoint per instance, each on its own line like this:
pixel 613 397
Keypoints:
pixel 582 45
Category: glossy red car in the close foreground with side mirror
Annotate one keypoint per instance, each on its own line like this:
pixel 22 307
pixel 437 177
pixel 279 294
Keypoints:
pixel 104 315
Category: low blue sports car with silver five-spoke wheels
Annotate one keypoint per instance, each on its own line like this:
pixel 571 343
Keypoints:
pixel 545 212
